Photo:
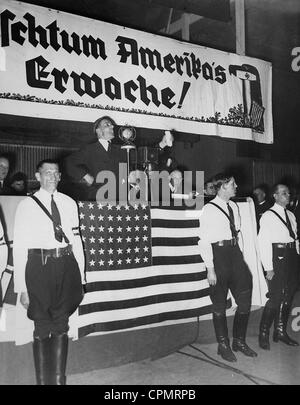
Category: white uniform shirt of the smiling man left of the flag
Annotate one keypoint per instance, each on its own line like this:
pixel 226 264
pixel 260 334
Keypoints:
pixel 33 229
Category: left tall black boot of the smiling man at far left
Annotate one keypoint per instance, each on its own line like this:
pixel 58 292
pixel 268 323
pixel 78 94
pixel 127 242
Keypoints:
pixel 41 356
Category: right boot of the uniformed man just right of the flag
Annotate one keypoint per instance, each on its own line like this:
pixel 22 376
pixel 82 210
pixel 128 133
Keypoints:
pixel 239 344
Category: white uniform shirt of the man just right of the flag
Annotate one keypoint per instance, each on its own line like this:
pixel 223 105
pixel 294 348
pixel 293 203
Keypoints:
pixel 215 226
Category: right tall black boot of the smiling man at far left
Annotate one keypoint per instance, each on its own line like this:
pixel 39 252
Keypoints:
pixel 59 351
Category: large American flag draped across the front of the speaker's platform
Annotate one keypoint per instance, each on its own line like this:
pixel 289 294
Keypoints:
pixel 143 267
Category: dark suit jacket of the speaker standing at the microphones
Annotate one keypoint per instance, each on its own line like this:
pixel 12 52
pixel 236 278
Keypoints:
pixel 91 159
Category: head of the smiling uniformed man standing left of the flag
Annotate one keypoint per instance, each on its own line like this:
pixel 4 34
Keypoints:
pixel 48 174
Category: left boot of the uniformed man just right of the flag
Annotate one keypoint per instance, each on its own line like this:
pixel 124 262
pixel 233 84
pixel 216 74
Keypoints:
pixel 224 349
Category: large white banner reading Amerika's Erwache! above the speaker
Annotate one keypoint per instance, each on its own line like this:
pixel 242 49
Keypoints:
pixel 58 65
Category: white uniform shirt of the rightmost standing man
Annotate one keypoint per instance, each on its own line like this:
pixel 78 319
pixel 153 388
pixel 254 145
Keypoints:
pixel 272 230
